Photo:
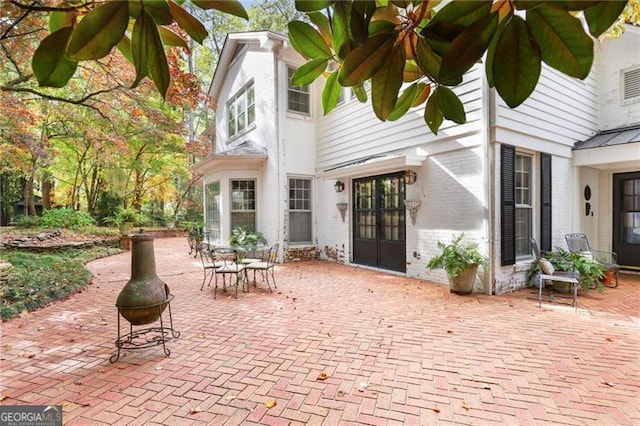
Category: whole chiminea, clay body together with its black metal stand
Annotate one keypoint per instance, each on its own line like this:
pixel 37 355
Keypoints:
pixel 143 300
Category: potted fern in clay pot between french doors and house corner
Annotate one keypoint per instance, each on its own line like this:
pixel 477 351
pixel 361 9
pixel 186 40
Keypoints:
pixel 460 259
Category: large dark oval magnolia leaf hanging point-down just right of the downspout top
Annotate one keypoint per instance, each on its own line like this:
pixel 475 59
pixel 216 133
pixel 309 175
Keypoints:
pixel 515 63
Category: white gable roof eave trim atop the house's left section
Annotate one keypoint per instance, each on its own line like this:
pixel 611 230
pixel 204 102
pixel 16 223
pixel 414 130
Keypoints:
pixel 233 44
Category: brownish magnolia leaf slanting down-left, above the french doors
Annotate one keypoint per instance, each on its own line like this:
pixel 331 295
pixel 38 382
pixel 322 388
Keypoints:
pixel 367 59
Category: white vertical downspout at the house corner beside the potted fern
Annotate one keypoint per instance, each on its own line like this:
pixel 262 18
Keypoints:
pixel 488 118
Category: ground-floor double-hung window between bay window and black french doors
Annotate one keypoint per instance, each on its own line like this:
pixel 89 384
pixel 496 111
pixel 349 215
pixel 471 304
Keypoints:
pixel 300 210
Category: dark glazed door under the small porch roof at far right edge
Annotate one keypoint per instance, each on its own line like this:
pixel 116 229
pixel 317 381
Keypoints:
pixel 626 218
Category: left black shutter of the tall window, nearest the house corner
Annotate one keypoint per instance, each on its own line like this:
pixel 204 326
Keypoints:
pixel 508 203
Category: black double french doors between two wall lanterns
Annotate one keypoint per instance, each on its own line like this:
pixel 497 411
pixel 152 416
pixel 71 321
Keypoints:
pixel 379 238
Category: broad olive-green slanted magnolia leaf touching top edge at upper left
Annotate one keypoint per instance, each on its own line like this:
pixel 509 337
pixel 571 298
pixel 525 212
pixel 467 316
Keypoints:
pixel 99 31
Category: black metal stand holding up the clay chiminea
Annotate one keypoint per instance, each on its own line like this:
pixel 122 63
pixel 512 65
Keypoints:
pixel 147 337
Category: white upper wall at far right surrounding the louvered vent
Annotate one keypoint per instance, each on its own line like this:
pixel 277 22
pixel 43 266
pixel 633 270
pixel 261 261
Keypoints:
pixel 613 56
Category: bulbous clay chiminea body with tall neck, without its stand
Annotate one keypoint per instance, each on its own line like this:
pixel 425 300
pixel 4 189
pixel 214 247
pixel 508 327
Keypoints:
pixel 143 299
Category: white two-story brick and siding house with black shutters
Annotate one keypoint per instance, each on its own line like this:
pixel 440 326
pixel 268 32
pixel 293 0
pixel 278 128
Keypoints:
pixel 341 186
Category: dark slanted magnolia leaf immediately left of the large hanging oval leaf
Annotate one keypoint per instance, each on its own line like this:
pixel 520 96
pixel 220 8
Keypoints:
pixel 467 49
